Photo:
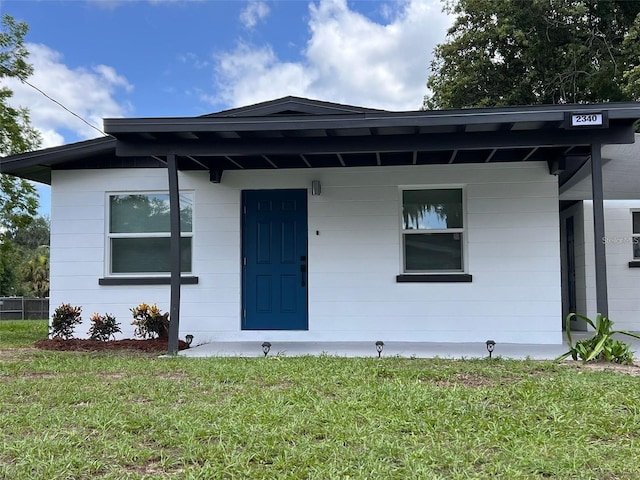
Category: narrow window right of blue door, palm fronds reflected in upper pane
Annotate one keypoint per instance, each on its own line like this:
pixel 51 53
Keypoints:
pixel 433 230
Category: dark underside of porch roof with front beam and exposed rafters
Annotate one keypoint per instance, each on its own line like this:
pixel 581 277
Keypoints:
pixel 353 147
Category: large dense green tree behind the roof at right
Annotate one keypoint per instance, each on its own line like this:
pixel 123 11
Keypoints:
pixel 526 52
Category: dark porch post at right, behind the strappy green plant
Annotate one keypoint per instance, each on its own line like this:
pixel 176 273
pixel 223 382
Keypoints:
pixel 602 305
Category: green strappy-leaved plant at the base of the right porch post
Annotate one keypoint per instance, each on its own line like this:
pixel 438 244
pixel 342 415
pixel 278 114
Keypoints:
pixel 602 346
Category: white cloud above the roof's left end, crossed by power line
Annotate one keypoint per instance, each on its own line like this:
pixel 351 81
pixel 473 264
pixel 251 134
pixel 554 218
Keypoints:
pixel 90 93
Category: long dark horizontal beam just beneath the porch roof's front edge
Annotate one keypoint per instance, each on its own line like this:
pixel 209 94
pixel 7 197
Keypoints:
pixel 390 143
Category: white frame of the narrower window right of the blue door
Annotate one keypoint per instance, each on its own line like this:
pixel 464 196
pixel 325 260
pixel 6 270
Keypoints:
pixel 463 230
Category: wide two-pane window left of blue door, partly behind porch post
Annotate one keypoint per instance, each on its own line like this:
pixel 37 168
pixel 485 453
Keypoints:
pixel 139 235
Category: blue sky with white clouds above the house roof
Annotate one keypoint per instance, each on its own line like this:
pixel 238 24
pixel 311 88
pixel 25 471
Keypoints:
pixel 158 58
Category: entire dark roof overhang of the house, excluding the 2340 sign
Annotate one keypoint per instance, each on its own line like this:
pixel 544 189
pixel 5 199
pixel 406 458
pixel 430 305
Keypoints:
pixel 302 133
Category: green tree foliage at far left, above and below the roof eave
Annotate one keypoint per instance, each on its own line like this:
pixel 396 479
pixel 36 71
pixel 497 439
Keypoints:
pixel 18 198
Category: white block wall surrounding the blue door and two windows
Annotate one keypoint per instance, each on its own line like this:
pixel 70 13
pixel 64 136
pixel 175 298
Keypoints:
pixel 512 233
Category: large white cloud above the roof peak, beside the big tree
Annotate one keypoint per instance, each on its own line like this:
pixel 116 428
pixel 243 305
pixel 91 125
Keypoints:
pixel 349 58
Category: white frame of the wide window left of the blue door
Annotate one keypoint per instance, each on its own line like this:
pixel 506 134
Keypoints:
pixel 109 236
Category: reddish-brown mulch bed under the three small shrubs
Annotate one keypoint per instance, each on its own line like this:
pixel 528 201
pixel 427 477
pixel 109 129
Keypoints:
pixel 154 345
